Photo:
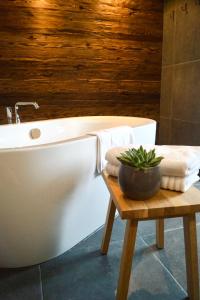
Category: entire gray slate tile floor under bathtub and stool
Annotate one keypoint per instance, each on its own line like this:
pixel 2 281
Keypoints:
pixel 82 273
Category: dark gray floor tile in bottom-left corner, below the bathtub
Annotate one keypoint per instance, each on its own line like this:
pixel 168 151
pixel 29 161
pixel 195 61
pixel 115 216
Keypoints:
pixel 20 284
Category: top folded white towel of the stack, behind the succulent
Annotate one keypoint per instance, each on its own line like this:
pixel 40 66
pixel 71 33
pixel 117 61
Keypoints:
pixel 178 160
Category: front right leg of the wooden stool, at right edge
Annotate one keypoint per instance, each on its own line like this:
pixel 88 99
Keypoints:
pixel 191 256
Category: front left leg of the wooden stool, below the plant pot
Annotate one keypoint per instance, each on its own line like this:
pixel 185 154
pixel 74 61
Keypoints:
pixel 126 259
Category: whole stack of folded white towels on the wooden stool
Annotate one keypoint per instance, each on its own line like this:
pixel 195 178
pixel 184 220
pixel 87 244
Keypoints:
pixel 179 168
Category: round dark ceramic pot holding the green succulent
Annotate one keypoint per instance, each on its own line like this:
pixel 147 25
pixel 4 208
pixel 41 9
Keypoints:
pixel 139 184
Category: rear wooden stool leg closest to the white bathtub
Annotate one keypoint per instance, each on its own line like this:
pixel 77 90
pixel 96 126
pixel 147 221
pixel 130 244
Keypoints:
pixel 108 227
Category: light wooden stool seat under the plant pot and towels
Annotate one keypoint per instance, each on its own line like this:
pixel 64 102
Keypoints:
pixel 164 204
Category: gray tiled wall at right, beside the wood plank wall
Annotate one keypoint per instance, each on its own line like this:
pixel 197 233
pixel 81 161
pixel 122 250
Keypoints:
pixel 180 84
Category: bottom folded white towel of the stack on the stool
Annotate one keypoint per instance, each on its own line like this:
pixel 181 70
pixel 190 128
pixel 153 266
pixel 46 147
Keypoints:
pixel 174 183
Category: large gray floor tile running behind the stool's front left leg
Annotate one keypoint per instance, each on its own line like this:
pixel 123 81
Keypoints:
pixel 83 273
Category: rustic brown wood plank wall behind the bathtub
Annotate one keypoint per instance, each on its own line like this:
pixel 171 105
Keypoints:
pixel 86 57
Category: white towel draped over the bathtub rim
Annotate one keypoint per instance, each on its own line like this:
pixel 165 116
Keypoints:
pixel 109 138
